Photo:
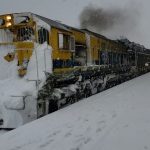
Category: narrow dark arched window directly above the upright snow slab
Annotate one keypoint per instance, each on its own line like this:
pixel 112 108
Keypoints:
pixel 43 35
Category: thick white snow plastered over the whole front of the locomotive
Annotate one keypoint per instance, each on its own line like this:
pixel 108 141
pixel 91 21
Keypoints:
pixel 16 91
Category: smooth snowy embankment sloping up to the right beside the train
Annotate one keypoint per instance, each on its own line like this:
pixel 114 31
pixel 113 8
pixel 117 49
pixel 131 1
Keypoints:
pixel 116 119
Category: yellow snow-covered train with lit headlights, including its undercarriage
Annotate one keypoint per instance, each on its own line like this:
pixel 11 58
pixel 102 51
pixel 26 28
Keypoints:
pixel 47 65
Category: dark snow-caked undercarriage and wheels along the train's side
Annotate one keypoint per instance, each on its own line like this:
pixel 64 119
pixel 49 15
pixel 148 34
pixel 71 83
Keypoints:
pixel 81 83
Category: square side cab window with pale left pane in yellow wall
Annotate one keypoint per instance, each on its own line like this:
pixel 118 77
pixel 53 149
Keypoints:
pixel 66 42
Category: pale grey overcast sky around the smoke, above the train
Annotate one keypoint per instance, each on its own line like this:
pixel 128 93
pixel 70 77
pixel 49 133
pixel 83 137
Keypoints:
pixel 68 12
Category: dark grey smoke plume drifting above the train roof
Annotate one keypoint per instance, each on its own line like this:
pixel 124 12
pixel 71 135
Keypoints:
pixel 112 22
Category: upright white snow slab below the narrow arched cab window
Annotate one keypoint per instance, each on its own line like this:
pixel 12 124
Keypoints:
pixel 44 64
